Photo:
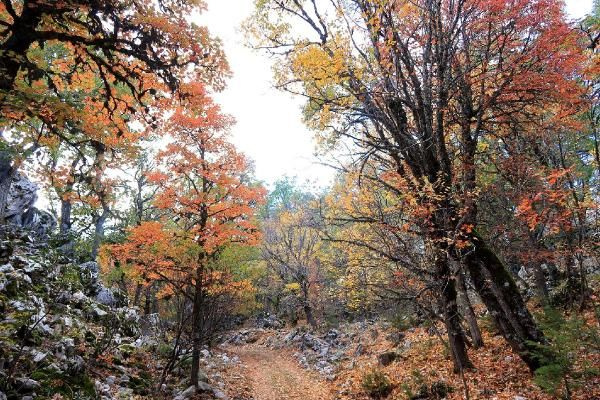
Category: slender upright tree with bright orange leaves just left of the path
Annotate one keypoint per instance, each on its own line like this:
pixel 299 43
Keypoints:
pixel 206 186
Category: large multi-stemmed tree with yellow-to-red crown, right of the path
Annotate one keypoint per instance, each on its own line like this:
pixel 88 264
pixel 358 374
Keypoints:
pixel 417 85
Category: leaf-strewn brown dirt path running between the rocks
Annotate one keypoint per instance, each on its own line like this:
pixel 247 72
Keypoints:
pixel 267 374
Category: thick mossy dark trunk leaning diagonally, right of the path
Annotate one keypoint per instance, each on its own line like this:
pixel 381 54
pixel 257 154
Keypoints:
pixel 498 290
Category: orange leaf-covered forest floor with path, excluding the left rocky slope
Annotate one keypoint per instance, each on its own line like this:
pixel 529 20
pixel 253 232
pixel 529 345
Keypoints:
pixel 268 367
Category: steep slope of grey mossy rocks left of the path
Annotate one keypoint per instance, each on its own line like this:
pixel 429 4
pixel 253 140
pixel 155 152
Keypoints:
pixel 64 335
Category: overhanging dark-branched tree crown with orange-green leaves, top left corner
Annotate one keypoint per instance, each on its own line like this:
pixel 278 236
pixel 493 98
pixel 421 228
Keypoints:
pixel 94 66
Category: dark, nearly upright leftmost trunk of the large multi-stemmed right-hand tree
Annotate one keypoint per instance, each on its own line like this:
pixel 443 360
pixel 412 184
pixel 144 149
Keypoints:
pixel 456 338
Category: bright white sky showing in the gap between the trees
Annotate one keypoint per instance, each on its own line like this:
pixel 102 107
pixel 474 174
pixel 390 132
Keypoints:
pixel 269 125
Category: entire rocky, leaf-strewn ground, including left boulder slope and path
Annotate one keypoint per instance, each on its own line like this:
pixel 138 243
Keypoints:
pixel 64 335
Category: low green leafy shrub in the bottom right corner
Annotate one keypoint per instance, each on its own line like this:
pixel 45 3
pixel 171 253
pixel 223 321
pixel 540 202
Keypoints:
pixel 559 372
